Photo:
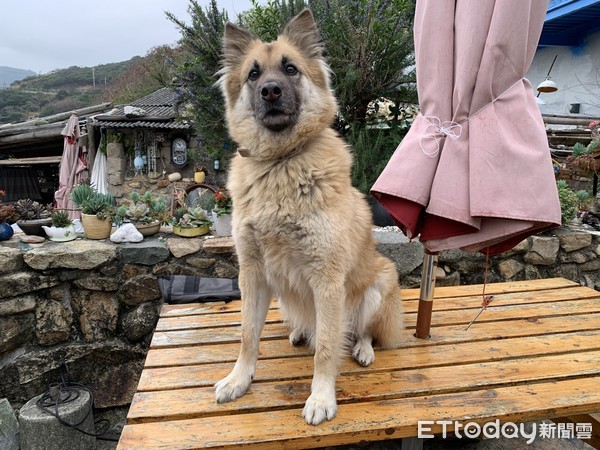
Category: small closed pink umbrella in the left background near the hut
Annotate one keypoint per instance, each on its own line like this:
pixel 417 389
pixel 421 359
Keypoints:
pixel 72 166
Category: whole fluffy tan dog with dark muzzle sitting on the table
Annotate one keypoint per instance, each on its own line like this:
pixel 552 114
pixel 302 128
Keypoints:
pixel 302 232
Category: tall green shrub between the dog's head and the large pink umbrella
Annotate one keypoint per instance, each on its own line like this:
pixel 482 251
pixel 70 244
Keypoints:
pixel 369 48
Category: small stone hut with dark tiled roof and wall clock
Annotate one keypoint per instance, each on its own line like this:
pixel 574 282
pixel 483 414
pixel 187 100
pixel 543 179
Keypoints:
pixel 148 128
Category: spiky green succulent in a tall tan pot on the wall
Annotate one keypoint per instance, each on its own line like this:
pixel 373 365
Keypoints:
pixel 97 210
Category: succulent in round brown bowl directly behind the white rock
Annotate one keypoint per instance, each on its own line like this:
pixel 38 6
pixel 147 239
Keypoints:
pixel 146 212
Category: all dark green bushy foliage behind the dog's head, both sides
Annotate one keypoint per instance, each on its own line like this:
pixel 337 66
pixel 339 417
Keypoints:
pixel 368 45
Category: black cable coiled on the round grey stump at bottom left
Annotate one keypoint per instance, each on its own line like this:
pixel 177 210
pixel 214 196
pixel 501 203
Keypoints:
pixel 66 392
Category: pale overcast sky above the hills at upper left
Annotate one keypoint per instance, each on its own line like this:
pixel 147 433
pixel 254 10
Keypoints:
pixel 43 35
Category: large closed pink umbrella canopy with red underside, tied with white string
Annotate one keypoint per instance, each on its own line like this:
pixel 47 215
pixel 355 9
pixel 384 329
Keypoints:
pixel 474 170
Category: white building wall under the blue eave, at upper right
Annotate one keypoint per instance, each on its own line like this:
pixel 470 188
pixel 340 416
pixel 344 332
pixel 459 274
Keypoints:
pixel 576 73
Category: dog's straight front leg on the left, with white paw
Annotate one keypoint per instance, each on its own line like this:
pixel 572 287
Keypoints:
pixel 256 297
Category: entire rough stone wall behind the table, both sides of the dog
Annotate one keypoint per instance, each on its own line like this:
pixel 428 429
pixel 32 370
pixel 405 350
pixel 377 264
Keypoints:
pixel 94 304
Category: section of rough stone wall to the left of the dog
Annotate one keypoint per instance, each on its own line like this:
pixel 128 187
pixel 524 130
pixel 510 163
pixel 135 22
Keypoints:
pixel 91 304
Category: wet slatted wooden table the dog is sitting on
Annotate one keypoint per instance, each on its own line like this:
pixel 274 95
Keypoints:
pixel 533 354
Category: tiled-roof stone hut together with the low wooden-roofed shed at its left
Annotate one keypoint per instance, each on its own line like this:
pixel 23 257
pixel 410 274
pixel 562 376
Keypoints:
pixel 32 150
